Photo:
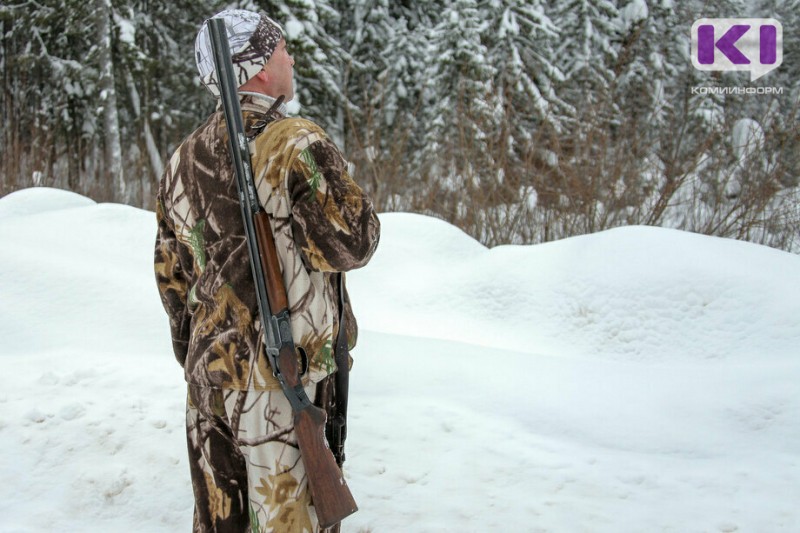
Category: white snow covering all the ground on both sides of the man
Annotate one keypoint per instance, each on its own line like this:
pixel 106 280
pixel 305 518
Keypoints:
pixel 639 379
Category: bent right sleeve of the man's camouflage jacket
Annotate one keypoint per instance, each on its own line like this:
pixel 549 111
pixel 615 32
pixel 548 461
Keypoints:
pixel 333 221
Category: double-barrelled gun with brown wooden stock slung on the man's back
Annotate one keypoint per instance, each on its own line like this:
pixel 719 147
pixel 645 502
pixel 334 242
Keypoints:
pixel 331 496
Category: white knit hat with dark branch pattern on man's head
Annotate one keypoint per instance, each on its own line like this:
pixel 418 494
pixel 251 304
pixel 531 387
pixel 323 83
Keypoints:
pixel 252 38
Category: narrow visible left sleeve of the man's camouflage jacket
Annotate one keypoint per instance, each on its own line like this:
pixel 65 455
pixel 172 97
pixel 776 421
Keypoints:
pixel 172 283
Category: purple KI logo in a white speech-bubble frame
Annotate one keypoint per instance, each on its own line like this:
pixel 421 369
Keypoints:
pixel 755 45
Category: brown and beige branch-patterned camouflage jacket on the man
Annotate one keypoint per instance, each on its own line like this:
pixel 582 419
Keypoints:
pixel 323 223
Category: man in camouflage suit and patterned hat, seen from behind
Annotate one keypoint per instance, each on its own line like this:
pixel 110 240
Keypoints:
pixel 246 470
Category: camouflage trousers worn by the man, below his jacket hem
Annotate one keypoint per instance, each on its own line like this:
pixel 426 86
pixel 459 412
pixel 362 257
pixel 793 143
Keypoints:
pixel 247 474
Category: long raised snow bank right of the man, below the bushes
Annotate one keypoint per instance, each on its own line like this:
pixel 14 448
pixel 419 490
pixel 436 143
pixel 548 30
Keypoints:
pixel 637 293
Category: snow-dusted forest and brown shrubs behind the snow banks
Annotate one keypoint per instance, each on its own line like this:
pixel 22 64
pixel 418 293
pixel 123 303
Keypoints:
pixel 517 121
